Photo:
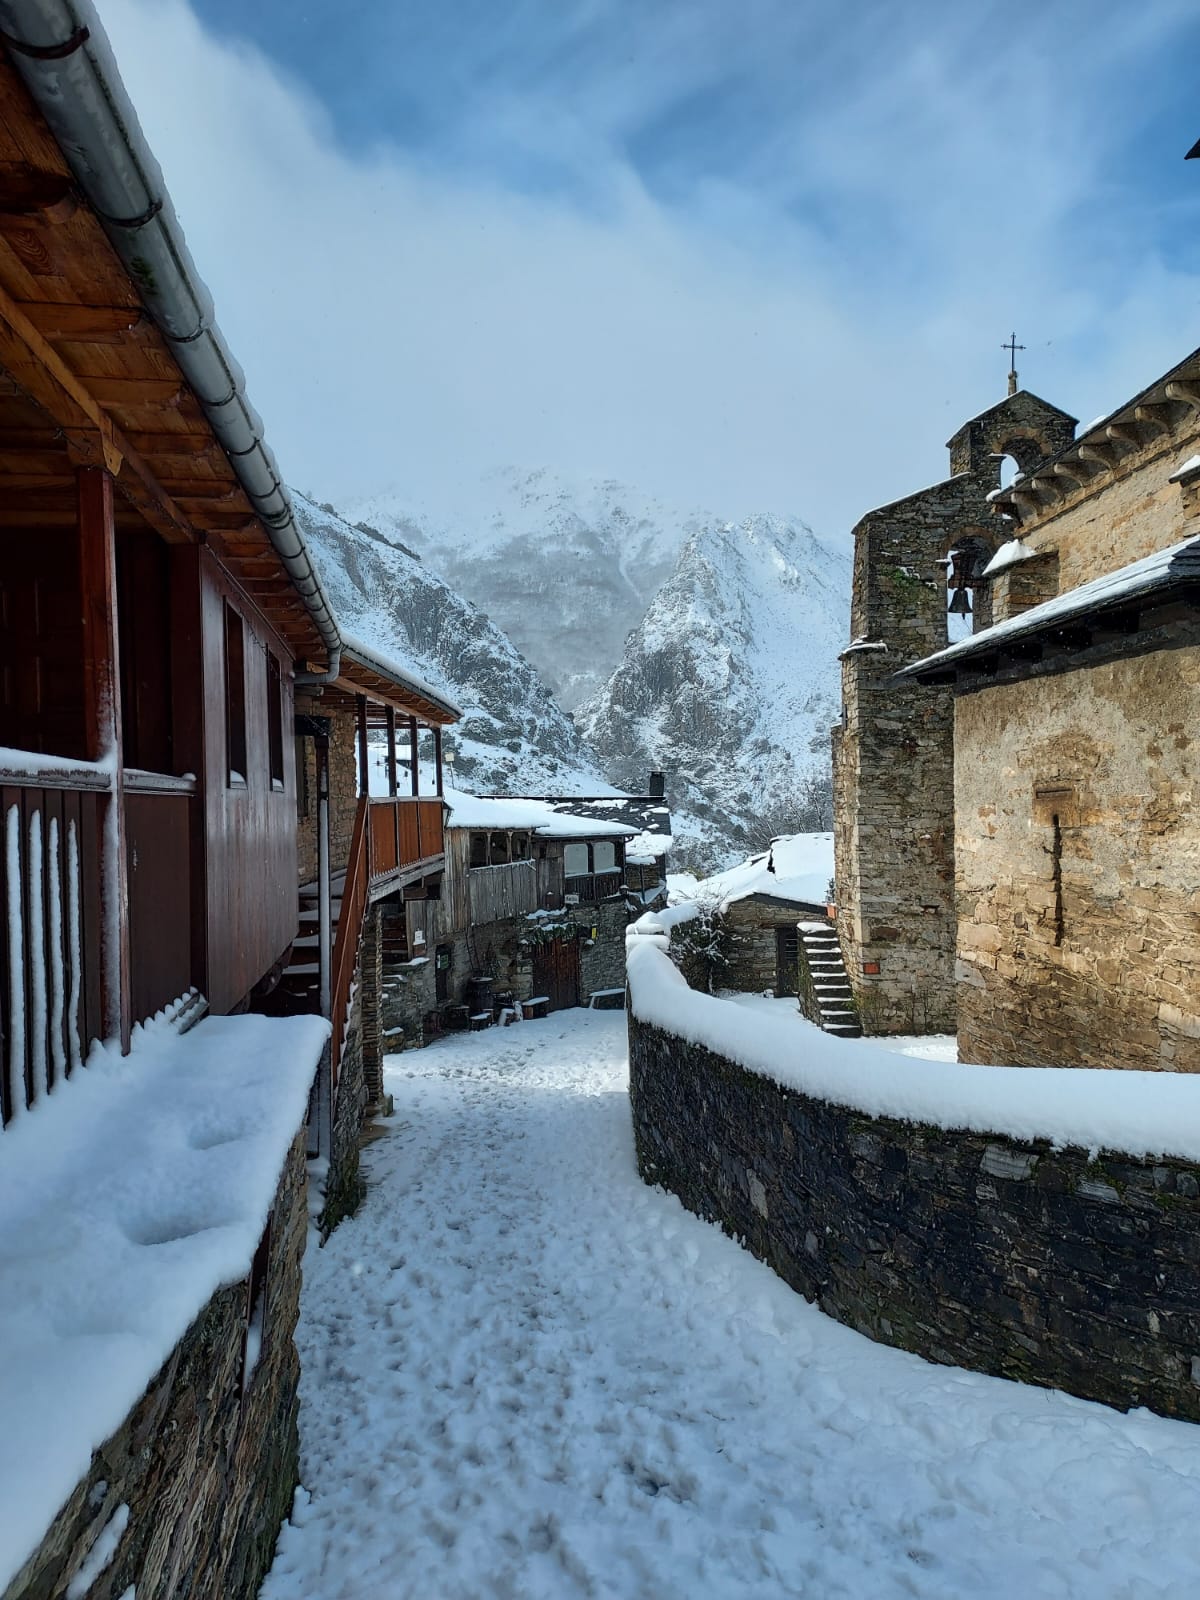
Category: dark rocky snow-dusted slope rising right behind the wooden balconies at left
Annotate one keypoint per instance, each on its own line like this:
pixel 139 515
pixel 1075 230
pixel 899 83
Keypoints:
pixel 513 735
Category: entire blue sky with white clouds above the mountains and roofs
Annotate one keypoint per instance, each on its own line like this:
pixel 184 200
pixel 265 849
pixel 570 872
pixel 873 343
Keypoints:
pixel 748 255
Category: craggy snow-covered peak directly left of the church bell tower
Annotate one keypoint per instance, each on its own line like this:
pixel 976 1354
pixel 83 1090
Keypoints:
pixel 730 686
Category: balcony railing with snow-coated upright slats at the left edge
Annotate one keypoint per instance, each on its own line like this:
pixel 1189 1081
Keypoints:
pixel 50 932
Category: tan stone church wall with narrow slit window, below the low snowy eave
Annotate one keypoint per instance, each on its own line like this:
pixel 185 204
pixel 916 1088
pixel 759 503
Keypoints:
pixel 1079 940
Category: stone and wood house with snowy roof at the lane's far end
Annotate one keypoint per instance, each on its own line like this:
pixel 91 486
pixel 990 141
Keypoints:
pixel 532 911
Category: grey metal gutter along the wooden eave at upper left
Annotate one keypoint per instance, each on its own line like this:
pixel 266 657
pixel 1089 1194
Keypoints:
pixel 62 52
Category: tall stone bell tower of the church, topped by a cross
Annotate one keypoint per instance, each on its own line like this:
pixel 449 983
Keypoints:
pixel 894 751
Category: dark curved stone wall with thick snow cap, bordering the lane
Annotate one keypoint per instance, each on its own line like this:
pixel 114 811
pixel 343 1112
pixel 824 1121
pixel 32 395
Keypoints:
pixel 1018 1260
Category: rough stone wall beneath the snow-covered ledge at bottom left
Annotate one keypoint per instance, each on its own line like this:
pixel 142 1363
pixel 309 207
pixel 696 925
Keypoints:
pixel 207 1470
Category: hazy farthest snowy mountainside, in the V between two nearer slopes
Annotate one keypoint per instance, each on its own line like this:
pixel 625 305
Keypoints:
pixel 567 569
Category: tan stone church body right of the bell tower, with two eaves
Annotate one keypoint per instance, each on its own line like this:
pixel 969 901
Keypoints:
pixel 1078 841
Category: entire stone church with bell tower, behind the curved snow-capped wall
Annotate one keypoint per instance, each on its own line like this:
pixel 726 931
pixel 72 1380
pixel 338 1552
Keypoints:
pixel 1018 849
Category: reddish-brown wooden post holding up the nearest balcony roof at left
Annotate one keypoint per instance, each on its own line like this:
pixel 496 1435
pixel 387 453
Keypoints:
pixel 103 732
